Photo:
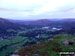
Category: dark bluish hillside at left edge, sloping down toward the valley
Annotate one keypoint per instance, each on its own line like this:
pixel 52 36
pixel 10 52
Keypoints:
pixel 6 25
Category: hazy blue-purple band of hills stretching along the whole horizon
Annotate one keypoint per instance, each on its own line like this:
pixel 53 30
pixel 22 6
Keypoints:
pixel 18 24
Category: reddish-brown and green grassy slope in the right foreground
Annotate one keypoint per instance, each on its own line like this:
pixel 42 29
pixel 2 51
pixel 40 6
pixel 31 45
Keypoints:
pixel 49 48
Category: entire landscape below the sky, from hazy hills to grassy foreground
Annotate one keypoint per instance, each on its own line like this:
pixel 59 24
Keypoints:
pixel 41 37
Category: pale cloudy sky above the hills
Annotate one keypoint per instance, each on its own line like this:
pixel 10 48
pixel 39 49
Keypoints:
pixel 37 9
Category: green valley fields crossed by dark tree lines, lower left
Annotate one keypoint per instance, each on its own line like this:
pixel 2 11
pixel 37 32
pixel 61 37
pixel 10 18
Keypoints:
pixel 9 46
